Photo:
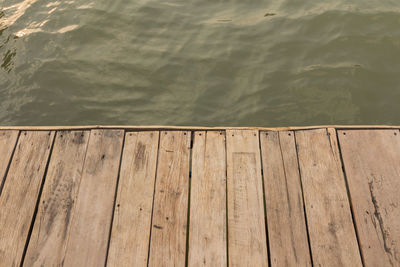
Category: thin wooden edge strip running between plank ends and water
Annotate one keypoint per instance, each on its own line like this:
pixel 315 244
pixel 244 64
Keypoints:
pixel 192 128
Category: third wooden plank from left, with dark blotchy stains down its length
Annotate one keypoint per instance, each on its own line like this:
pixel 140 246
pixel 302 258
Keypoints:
pixel 47 243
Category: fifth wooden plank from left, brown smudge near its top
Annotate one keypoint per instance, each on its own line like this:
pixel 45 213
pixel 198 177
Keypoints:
pixel 132 215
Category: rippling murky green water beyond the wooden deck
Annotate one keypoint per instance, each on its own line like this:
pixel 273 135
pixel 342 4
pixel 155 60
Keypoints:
pixel 200 62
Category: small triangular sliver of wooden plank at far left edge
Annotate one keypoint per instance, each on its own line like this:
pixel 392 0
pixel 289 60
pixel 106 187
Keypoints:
pixel 8 140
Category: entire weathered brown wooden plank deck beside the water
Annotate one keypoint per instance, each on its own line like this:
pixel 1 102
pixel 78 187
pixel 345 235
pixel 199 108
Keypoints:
pixel 199 197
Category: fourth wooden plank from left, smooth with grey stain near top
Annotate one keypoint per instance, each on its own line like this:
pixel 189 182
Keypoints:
pixel 91 221
